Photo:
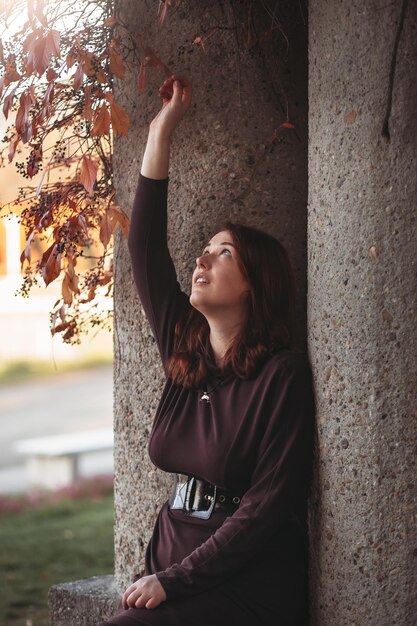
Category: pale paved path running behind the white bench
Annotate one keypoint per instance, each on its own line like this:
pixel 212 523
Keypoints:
pixel 67 402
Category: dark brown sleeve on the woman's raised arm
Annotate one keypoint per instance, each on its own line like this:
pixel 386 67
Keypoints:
pixel 153 269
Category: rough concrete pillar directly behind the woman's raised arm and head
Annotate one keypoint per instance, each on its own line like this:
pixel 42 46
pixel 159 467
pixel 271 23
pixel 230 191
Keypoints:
pixel 225 164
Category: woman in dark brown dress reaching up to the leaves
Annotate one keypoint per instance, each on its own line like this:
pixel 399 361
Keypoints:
pixel 234 425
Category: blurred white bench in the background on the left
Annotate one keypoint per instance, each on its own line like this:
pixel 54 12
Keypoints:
pixel 52 462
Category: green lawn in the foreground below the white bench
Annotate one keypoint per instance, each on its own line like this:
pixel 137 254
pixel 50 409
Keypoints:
pixel 39 547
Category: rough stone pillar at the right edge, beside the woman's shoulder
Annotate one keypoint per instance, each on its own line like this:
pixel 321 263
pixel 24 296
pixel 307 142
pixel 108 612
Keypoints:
pixel 362 311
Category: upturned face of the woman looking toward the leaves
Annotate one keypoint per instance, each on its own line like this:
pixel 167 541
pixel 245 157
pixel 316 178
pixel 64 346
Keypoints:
pixel 218 283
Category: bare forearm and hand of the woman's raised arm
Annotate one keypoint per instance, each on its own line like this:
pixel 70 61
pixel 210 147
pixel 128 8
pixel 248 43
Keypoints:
pixel 176 98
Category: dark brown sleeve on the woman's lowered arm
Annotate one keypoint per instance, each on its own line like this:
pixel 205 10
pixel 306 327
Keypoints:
pixel 278 487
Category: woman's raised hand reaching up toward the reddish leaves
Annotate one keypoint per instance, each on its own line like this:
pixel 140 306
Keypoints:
pixel 176 98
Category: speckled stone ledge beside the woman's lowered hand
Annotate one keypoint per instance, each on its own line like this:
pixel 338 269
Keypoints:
pixel 83 602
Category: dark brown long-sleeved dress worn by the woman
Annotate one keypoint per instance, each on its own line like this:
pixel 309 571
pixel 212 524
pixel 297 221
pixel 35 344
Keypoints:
pixel 254 437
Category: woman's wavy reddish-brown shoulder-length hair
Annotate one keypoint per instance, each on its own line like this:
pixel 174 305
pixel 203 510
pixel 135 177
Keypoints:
pixel 269 325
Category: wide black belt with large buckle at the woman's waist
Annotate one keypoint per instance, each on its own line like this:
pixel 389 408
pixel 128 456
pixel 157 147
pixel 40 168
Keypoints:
pixel 199 498
